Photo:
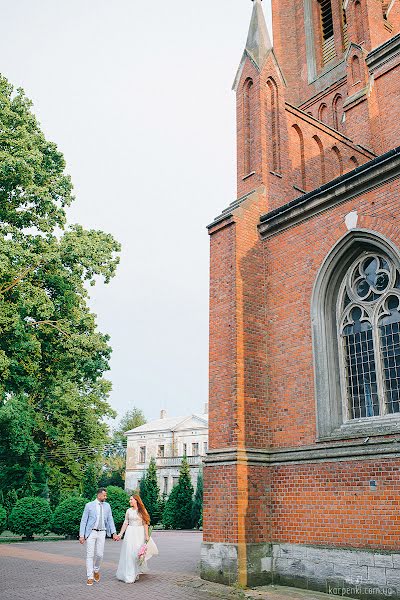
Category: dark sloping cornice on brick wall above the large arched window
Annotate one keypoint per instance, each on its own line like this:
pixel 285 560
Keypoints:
pixel 364 178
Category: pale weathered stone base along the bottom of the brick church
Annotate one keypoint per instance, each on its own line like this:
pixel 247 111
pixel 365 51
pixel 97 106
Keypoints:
pixel 356 573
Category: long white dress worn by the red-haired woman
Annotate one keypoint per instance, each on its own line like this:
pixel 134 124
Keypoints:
pixel 128 566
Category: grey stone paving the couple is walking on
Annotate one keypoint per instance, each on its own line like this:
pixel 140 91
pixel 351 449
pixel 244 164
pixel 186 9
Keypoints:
pixel 56 570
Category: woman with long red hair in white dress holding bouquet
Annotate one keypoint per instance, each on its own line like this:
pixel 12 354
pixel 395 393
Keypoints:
pixel 136 530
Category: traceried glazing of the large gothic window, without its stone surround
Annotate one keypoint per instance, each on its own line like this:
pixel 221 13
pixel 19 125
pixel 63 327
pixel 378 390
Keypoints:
pixel 368 320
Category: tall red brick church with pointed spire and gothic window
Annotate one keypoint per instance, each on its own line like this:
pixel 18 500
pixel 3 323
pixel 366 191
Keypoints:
pixel 302 479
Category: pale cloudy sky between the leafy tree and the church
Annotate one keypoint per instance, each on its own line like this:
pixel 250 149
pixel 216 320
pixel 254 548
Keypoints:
pixel 137 96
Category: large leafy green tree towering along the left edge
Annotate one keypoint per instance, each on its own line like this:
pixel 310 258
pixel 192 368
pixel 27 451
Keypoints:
pixel 53 397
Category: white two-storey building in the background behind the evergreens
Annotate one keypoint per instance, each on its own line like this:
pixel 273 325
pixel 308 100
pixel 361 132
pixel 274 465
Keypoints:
pixel 167 439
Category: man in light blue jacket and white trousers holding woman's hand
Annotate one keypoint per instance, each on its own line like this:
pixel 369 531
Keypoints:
pixel 97 520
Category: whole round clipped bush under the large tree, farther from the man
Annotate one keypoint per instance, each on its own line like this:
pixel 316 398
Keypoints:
pixel 29 516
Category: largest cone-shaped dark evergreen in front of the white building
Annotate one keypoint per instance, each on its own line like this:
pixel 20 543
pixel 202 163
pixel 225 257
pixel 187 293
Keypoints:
pixel 178 510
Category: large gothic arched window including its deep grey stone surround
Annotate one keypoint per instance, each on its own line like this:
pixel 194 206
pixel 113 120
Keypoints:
pixel 356 334
